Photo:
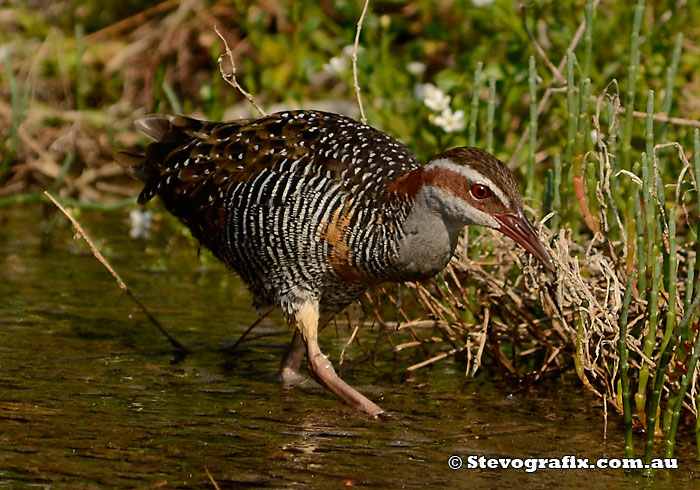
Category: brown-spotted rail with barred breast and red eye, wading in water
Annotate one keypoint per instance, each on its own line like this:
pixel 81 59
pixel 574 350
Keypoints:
pixel 311 208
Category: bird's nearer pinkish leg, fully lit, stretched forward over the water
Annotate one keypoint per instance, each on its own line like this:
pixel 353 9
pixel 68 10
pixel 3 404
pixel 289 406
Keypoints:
pixel 321 368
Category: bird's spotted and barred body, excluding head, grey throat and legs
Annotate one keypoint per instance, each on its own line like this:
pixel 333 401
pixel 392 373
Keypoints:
pixel 295 202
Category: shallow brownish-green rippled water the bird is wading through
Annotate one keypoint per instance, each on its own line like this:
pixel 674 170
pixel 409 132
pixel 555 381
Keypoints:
pixel 92 396
